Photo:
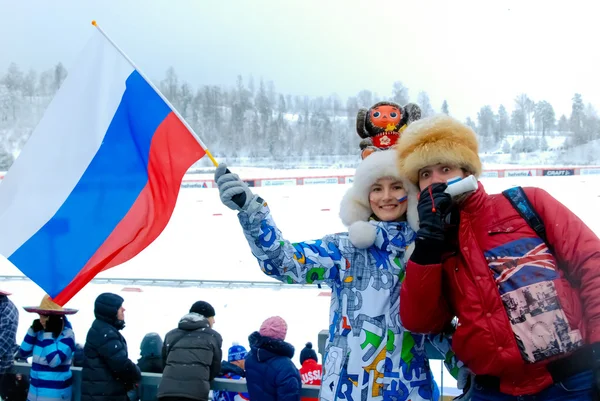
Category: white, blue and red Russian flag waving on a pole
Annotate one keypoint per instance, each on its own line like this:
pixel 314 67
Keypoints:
pixel 98 180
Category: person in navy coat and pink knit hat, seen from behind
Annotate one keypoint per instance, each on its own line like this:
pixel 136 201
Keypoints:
pixel 270 373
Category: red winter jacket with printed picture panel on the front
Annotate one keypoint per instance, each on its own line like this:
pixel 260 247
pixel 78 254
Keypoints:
pixel 502 285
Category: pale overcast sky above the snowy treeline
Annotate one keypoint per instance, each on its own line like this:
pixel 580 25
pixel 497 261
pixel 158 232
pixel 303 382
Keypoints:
pixel 468 52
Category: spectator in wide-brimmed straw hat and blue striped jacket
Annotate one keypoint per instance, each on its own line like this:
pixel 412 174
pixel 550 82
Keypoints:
pixel 51 342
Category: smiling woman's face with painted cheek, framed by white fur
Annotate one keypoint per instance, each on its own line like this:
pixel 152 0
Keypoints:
pixel 388 199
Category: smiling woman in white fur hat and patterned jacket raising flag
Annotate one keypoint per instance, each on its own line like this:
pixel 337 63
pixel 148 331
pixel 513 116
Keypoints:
pixel 369 355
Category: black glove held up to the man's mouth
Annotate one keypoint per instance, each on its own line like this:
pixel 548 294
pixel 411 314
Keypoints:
pixel 433 206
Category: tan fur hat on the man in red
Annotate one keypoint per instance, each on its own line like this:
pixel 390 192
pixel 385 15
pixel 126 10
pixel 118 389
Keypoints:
pixel 434 140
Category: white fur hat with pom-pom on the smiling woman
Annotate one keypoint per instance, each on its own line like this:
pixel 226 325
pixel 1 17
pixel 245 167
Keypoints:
pixel 355 208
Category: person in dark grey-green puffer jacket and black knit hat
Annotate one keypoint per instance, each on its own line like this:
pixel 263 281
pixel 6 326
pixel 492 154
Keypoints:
pixel 192 354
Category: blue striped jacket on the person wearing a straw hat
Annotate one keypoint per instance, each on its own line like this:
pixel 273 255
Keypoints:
pixel 51 364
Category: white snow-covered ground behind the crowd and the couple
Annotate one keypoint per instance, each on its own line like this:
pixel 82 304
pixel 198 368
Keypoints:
pixel 204 241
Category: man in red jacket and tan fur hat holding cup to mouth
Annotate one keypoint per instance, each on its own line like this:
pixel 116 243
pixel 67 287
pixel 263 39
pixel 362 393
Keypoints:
pixel 528 318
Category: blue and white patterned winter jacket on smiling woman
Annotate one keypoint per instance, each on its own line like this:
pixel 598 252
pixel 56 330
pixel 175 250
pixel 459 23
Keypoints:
pixel 369 355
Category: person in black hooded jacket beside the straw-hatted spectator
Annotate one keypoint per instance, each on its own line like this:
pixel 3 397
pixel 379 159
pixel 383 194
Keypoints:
pixel 107 372
